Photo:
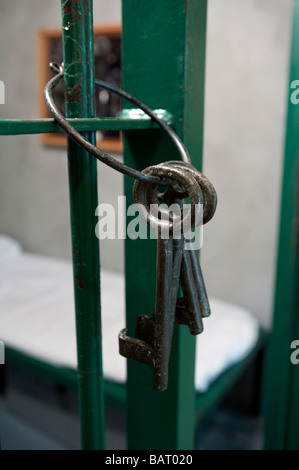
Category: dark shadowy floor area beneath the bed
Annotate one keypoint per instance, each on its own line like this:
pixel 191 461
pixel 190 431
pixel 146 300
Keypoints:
pixel 36 415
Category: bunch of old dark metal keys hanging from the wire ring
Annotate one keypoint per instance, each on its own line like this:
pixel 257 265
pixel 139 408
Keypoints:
pixel 175 265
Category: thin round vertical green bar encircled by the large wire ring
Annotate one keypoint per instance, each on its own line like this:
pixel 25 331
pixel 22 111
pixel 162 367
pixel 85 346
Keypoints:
pixel 79 79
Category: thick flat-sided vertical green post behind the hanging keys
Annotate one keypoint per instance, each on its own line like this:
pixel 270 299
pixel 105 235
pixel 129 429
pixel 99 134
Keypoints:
pixel 163 65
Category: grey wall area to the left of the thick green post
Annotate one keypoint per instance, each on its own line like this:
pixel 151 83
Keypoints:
pixel 34 204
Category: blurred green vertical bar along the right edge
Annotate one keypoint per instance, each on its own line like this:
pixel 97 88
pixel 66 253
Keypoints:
pixel 282 377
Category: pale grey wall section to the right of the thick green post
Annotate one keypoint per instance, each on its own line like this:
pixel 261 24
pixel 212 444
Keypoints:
pixel 246 102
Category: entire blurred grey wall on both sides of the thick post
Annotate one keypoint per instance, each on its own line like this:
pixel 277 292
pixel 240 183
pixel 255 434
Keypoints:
pixel 246 96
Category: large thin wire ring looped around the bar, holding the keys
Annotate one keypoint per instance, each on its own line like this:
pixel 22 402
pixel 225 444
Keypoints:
pixel 95 151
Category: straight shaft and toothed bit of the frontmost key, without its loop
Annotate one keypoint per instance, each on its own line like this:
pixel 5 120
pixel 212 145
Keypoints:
pixel 153 335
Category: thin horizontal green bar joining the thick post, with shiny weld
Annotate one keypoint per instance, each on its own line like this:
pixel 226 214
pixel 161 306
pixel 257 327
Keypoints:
pixel 132 119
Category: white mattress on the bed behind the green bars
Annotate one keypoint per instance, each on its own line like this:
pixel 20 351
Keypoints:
pixel 37 318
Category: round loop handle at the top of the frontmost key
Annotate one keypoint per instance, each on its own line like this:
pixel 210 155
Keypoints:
pixel 178 224
